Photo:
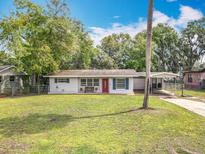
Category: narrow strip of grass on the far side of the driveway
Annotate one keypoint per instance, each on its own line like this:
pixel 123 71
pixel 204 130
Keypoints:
pixel 194 93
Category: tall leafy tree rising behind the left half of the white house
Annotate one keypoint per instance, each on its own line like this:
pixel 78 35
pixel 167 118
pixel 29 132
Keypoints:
pixel 75 49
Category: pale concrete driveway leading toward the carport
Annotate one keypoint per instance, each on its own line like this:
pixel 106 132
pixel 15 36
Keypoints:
pixel 194 106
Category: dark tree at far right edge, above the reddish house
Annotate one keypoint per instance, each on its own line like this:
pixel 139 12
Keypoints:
pixel 192 43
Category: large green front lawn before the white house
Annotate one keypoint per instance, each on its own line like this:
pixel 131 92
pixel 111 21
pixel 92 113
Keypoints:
pixel 86 124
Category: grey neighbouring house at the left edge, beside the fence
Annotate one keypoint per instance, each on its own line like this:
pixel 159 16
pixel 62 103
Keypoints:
pixel 10 79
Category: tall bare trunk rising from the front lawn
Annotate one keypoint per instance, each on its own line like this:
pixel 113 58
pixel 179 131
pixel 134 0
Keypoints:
pixel 148 54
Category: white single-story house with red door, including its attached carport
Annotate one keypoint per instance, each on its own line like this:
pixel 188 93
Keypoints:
pixel 113 81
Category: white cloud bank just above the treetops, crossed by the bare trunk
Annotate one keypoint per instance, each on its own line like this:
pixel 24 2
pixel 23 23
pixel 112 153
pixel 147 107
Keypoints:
pixel 186 14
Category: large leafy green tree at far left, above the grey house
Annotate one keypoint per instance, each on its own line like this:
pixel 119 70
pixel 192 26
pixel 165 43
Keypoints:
pixel 23 37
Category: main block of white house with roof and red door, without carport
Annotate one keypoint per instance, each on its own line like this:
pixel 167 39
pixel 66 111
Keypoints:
pixel 92 81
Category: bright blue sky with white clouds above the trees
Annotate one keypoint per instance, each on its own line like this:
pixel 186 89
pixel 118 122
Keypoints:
pixel 104 17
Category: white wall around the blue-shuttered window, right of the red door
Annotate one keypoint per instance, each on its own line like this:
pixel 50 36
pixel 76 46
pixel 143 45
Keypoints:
pixel 120 91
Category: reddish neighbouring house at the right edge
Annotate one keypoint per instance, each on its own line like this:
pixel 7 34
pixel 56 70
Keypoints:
pixel 194 79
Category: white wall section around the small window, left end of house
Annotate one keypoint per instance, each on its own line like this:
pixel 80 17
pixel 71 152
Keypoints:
pixel 63 88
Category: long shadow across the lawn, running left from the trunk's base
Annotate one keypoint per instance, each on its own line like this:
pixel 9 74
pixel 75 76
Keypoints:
pixel 38 123
